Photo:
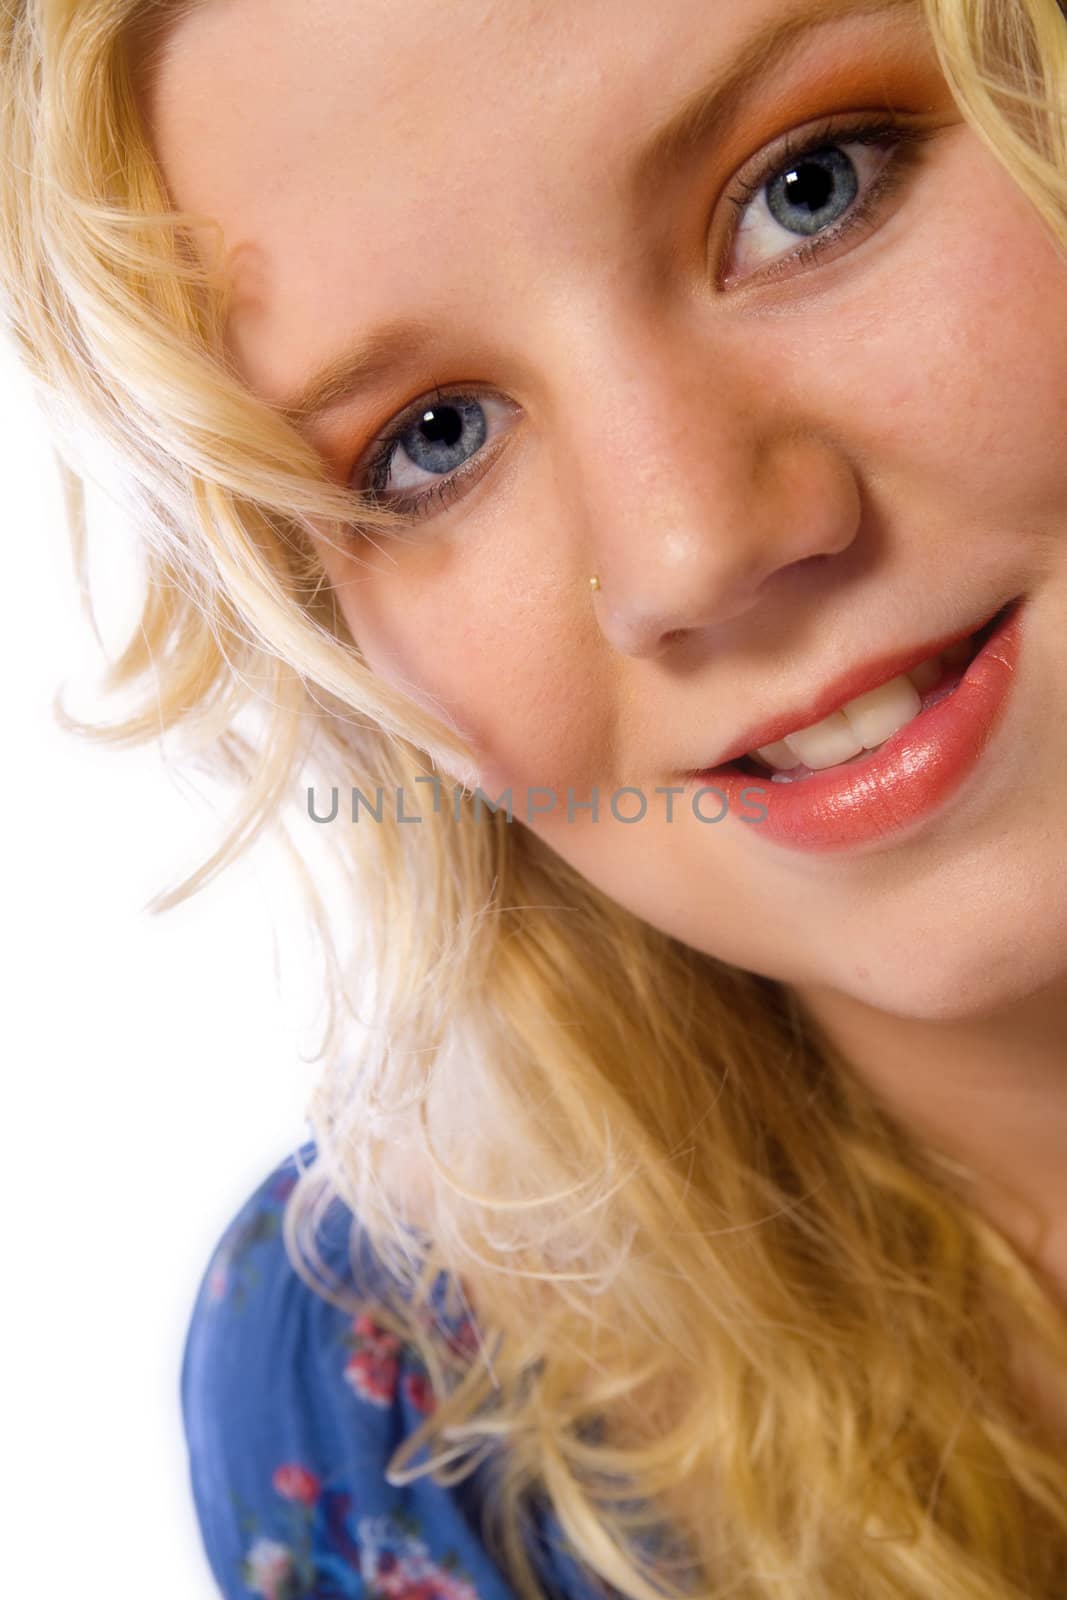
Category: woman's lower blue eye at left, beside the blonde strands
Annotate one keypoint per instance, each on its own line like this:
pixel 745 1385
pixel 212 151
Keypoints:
pixel 433 450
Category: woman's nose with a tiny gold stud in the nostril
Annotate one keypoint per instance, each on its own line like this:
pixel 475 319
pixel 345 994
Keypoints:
pixel 698 490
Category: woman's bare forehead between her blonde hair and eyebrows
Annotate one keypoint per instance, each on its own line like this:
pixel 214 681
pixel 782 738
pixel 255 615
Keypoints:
pixel 370 161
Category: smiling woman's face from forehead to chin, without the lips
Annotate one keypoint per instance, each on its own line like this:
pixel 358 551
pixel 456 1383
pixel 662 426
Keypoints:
pixel 794 423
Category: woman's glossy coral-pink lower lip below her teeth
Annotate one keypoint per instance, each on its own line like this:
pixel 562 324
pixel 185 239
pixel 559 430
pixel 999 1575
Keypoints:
pixel 906 780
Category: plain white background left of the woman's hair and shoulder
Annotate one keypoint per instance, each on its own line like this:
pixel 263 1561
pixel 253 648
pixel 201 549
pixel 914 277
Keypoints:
pixel 153 1078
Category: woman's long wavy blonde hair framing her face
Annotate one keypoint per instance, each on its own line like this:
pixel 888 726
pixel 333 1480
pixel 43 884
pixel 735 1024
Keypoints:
pixel 743 1290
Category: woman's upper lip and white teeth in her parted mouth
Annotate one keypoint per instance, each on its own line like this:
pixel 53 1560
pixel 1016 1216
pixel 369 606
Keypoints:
pixel 826 742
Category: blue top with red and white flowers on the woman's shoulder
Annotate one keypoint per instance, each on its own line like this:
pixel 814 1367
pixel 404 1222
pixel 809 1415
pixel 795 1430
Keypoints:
pixel 292 1410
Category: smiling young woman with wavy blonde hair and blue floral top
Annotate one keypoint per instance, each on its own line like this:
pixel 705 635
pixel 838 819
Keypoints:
pixel 650 423
